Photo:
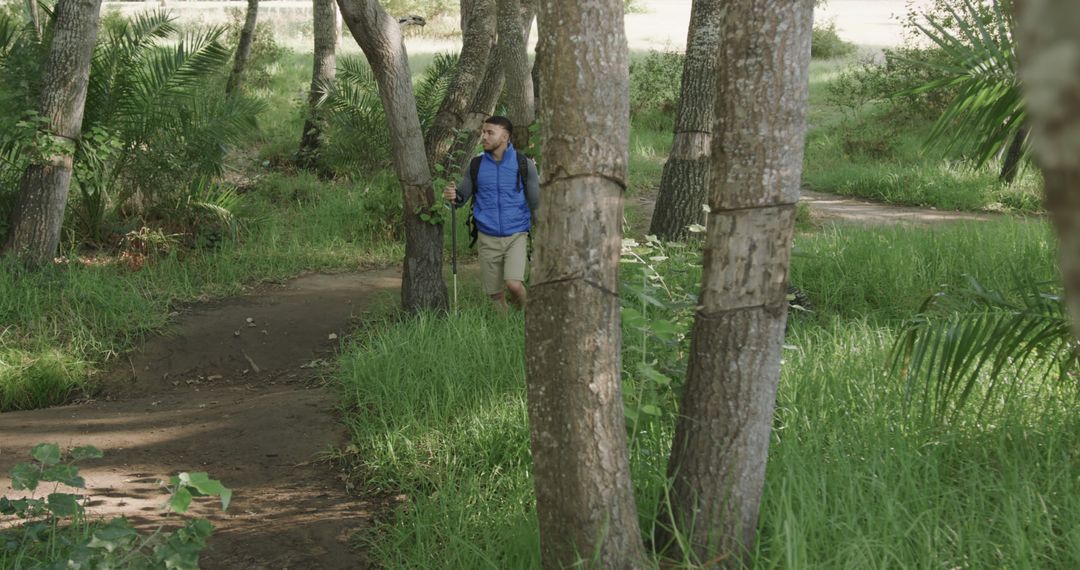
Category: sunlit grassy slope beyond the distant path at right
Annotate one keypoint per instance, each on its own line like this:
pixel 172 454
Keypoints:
pixel 866 147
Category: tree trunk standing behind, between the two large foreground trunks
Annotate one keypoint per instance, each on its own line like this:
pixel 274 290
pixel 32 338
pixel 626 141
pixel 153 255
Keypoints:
pixel 685 180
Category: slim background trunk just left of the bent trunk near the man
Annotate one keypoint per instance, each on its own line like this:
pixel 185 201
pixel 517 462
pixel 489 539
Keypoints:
pixel 323 71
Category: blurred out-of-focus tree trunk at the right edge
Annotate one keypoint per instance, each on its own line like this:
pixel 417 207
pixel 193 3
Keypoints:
pixel 1050 70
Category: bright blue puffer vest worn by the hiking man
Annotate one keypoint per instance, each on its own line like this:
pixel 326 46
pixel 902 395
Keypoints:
pixel 499 205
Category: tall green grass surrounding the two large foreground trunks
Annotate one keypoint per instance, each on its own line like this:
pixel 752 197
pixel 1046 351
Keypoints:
pixel 438 414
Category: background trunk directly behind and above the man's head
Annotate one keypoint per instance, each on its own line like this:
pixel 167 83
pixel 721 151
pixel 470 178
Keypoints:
pixel 514 55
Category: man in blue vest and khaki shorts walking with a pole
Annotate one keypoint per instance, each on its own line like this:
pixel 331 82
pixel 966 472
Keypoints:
pixel 506 193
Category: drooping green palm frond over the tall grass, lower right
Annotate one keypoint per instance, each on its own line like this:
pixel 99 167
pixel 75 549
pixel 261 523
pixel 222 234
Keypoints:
pixel 984 345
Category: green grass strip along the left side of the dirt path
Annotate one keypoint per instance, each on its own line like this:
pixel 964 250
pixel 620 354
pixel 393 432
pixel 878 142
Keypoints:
pixel 64 322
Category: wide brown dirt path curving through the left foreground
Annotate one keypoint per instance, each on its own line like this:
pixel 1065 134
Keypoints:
pixel 232 389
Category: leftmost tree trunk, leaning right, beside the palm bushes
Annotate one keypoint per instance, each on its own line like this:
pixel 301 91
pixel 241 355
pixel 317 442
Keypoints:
pixel 35 229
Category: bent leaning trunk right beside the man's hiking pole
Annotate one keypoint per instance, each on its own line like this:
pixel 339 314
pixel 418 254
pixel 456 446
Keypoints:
pixel 381 38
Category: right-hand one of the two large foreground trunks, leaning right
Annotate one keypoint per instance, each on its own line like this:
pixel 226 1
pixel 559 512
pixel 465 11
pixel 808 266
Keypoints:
pixel 722 439
